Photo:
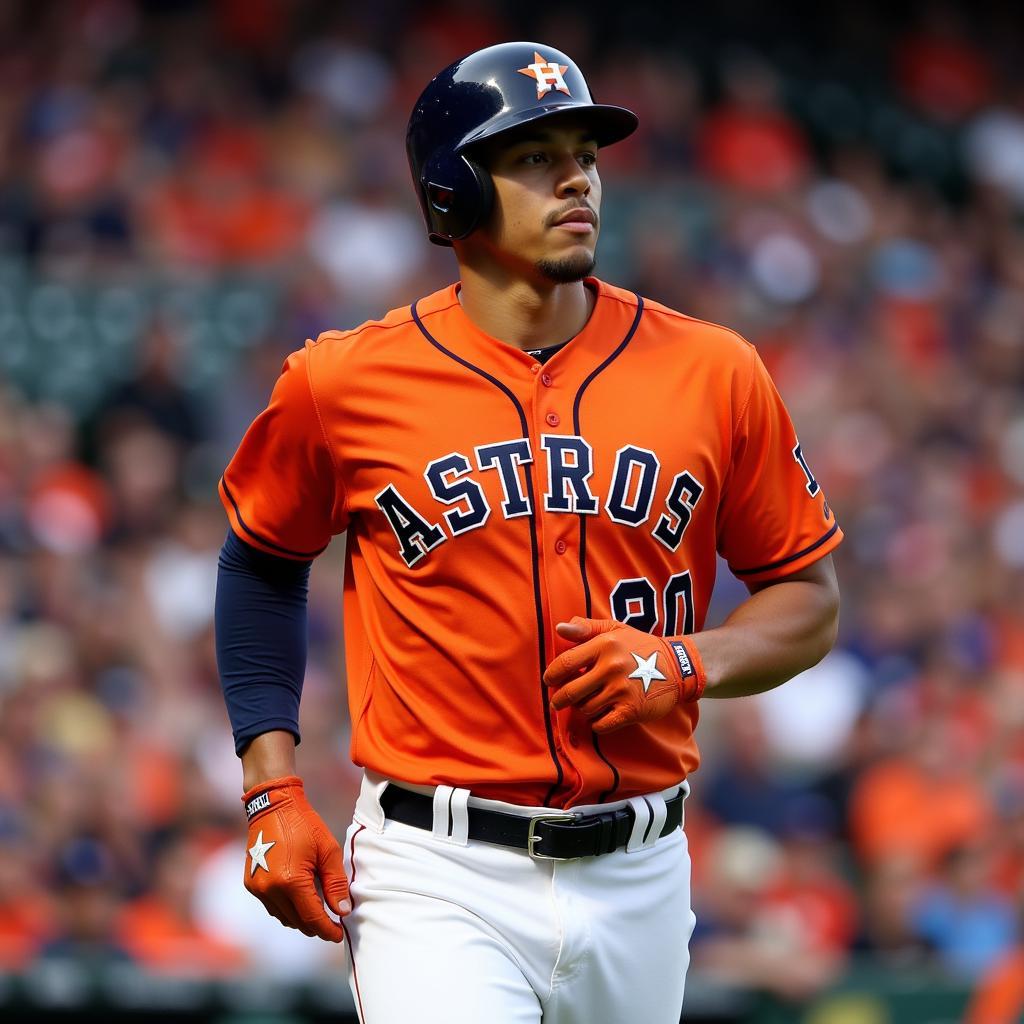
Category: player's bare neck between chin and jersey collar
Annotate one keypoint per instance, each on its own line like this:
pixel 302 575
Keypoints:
pixel 524 314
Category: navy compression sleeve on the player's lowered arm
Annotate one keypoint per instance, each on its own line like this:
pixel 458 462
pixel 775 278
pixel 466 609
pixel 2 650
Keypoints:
pixel 261 621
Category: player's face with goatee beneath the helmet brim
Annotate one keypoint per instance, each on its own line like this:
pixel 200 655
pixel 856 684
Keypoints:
pixel 547 202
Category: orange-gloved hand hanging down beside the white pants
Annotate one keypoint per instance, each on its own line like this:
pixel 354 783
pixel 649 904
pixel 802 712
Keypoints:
pixel 290 851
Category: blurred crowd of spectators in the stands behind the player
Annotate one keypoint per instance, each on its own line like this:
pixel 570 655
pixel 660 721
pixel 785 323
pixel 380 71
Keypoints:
pixel 848 195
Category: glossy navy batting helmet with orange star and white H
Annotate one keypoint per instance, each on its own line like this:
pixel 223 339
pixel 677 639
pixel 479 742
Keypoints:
pixel 483 96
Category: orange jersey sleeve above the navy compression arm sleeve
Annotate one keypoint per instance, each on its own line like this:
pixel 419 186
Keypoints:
pixel 282 490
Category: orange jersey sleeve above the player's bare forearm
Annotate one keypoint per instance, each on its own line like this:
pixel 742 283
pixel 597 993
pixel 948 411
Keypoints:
pixel 775 519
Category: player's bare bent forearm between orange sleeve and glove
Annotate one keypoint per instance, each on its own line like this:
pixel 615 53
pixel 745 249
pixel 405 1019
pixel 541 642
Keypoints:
pixel 778 633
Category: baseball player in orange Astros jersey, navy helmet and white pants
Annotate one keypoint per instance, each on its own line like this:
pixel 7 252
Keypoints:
pixel 536 471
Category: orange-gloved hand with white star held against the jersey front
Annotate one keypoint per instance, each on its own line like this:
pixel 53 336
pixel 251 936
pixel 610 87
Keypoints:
pixel 618 675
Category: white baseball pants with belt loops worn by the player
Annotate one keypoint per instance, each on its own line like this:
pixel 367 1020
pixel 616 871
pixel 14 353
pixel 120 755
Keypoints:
pixel 449 931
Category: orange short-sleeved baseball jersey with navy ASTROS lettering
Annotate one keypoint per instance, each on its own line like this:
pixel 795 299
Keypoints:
pixel 488 498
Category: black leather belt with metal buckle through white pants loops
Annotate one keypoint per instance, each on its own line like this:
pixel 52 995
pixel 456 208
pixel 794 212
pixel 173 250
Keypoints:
pixel 547 836
